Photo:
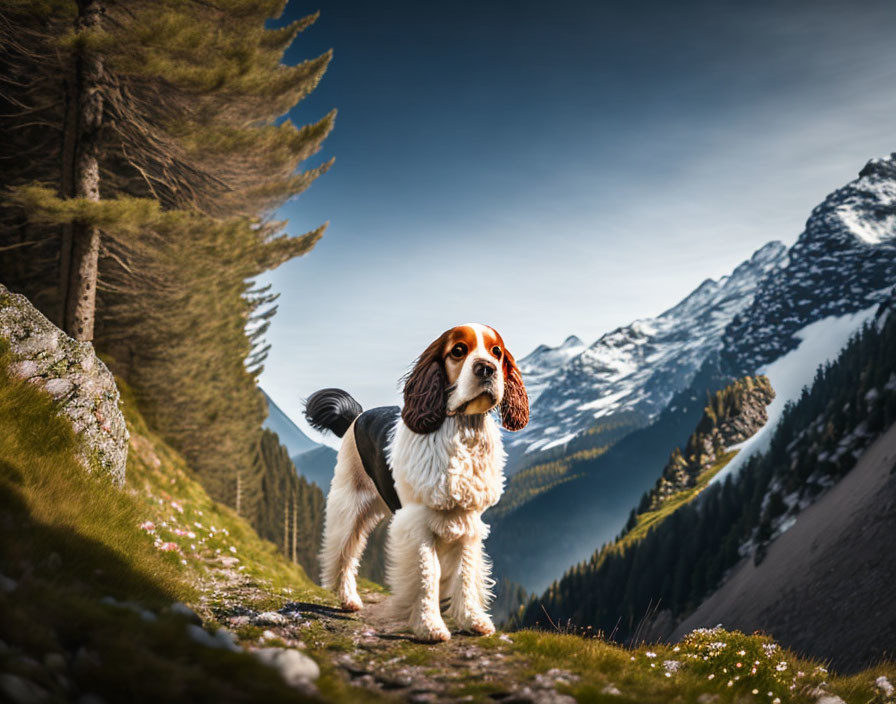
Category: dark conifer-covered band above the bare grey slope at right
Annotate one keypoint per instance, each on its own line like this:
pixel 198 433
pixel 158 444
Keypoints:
pixel 682 559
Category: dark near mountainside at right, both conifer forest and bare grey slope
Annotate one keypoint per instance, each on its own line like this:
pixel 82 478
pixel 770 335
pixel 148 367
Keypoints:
pixel 817 504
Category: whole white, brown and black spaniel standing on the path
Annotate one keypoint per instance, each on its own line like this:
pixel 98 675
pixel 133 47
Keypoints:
pixel 437 464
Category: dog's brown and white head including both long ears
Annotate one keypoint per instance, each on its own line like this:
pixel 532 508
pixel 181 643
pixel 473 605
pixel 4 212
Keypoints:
pixel 466 370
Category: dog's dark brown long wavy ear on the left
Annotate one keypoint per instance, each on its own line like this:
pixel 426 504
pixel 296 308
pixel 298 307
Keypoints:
pixel 425 397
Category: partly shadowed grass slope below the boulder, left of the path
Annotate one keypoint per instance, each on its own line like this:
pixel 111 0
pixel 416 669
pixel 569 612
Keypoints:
pixel 87 609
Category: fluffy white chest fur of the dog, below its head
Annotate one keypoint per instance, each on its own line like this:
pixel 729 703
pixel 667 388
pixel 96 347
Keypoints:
pixel 460 466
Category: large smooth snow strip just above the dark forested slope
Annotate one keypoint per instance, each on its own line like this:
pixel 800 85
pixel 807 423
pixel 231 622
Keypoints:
pixel 820 343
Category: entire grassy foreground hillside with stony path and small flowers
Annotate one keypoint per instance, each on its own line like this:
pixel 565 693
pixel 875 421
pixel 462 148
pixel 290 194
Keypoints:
pixel 91 577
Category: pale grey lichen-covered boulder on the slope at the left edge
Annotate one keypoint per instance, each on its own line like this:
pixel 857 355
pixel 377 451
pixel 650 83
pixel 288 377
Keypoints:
pixel 72 374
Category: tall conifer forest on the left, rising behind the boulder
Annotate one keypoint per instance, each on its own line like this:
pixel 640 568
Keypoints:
pixel 144 154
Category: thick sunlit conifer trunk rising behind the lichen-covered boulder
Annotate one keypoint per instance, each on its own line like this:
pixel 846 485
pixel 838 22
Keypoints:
pixel 82 259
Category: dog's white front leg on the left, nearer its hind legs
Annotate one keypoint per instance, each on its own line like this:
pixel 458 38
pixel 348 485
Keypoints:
pixel 414 573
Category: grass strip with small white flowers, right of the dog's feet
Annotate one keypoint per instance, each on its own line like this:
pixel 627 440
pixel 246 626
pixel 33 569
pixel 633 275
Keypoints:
pixel 721 666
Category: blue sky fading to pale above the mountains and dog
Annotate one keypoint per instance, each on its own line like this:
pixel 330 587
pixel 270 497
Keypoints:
pixel 557 168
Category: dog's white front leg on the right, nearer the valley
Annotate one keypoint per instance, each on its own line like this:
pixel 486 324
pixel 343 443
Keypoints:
pixel 470 592
